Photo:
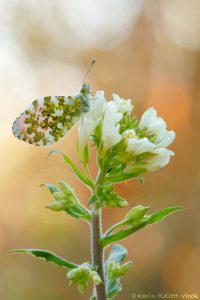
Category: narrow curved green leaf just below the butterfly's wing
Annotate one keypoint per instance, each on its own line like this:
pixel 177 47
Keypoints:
pixel 76 171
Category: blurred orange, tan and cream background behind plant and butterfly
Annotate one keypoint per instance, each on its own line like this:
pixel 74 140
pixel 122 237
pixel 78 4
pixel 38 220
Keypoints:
pixel 148 51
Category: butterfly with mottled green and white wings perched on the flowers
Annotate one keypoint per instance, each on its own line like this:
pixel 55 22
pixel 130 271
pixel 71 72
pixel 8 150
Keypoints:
pixel 48 119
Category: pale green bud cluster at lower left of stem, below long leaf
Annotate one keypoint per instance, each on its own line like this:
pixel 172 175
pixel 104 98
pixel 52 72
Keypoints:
pixel 81 276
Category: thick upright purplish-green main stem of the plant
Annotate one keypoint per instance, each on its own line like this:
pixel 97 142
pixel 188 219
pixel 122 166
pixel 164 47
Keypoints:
pixel 97 249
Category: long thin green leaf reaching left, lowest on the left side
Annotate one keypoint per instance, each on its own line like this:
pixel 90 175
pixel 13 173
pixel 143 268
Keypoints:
pixel 46 255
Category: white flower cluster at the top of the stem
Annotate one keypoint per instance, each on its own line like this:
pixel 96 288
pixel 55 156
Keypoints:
pixel 116 126
